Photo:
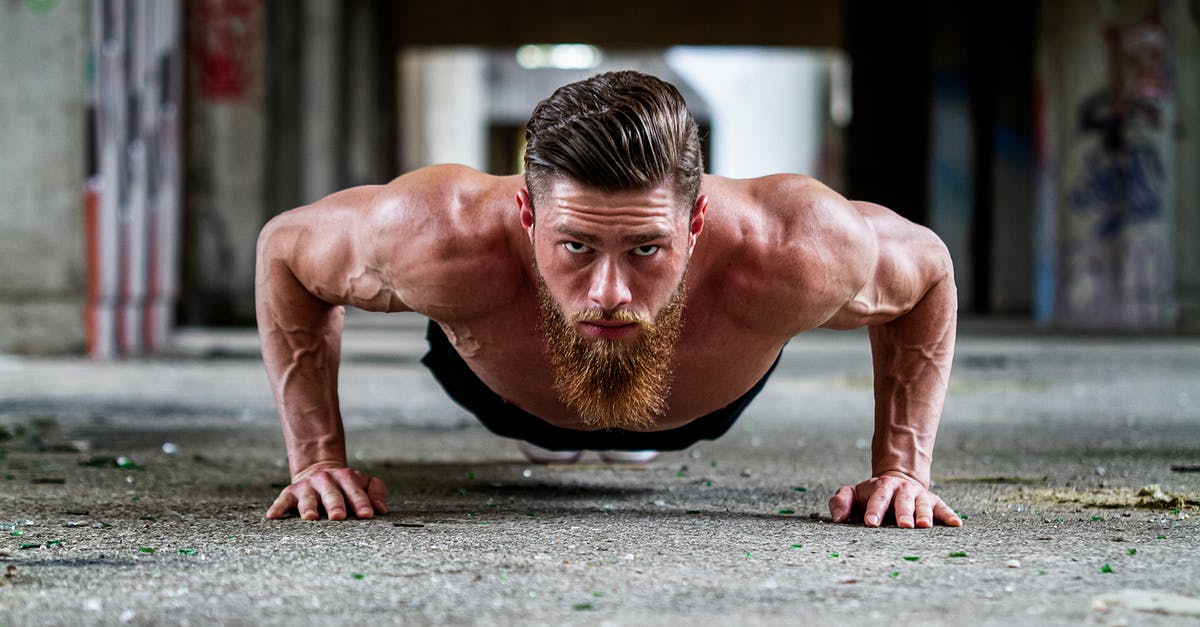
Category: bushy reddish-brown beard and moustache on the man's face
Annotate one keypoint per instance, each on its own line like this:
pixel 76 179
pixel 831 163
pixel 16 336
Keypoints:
pixel 607 384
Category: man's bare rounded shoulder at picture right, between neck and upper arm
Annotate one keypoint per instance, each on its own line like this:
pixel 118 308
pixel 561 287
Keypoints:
pixel 803 250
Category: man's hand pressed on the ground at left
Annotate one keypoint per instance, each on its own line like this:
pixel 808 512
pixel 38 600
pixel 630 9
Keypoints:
pixel 329 489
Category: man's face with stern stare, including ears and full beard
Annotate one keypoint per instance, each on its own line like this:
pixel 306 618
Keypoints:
pixel 610 270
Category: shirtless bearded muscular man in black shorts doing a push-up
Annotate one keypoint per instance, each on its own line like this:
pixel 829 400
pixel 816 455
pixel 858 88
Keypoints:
pixel 613 298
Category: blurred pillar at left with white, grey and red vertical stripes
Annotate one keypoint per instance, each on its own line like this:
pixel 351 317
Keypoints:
pixel 134 192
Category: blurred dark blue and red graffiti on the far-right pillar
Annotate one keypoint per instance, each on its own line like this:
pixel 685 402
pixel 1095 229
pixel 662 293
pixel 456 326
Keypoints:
pixel 1118 272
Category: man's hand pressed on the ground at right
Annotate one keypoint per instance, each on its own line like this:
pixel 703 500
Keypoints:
pixel 911 503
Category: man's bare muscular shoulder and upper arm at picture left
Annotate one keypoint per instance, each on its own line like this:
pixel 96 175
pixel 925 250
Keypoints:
pixel 433 242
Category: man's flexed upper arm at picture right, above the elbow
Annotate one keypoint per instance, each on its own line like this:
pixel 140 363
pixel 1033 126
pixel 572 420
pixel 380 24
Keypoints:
pixel 911 259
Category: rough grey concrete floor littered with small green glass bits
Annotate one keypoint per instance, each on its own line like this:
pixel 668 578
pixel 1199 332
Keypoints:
pixel 734 532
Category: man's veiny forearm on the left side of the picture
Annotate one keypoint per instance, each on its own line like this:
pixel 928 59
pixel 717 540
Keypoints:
pixel 301 341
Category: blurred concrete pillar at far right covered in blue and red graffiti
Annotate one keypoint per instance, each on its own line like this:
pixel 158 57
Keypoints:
pixel 1108 200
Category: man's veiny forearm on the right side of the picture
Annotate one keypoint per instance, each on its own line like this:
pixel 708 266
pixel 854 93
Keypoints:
pixel 913 357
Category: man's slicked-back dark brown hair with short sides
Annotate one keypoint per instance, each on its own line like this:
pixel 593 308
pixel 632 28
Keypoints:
pixel 617 132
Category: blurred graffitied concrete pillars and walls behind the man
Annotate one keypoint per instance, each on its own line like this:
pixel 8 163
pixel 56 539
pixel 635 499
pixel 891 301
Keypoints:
pixel 1054 146
